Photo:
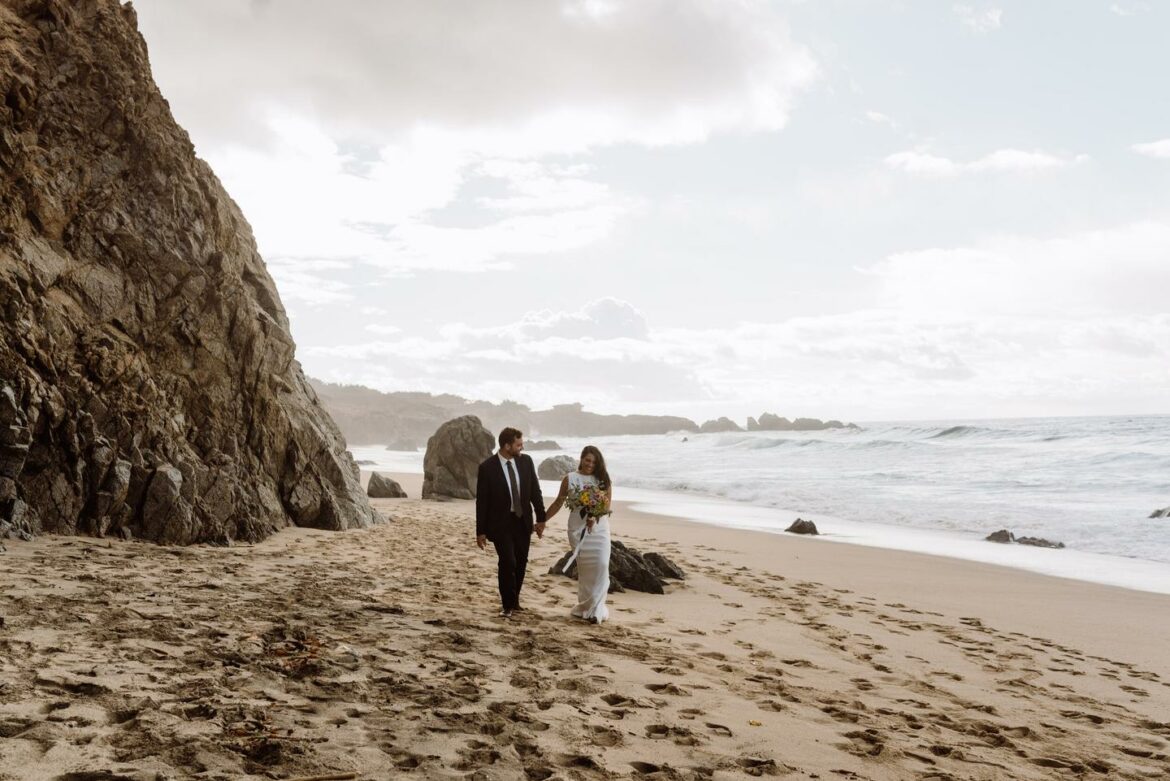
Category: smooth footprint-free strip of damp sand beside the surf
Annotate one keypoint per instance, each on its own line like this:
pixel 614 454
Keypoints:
pixel 1027 602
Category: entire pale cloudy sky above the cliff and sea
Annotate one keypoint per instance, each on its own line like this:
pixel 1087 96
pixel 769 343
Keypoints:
pixel 863 210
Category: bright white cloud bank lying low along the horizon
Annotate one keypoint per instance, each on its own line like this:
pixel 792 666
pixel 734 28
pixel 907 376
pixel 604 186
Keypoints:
pixel 1020 326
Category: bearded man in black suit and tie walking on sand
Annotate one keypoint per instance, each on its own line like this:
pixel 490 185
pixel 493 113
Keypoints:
pixel 507 494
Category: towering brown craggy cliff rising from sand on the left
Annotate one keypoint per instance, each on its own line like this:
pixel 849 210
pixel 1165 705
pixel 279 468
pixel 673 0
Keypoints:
pixel 148 382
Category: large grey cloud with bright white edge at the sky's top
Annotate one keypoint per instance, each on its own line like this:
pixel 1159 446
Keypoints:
pixel 517 80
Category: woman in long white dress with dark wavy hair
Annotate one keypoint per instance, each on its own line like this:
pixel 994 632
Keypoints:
pixel 593 535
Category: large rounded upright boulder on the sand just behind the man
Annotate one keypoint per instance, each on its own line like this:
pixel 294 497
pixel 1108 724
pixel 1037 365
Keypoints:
pixel 452 464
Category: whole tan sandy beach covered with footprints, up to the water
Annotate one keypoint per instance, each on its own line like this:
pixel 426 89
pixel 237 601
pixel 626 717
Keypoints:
pixel 378 654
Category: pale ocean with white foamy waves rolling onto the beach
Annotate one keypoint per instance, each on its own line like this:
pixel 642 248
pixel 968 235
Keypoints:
pixel 931 487
